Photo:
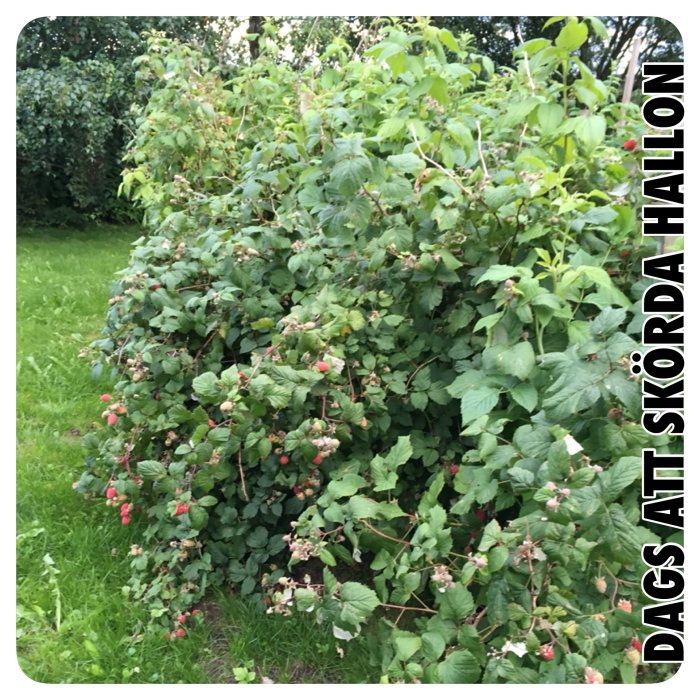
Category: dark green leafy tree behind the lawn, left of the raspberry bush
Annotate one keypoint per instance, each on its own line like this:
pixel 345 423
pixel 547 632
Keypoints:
pixel 75 87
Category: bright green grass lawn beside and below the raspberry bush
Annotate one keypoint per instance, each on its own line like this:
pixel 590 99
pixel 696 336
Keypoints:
pixel 73 623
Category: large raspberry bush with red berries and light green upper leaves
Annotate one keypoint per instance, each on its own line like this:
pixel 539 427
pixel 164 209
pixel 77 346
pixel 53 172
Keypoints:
pixel 371 359
